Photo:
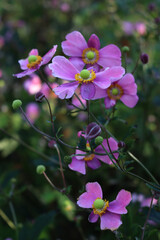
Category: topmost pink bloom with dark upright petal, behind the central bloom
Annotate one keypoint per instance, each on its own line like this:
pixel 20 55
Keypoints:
pixel 82 53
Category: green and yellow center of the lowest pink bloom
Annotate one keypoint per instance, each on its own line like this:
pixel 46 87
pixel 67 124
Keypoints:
pixel 101 207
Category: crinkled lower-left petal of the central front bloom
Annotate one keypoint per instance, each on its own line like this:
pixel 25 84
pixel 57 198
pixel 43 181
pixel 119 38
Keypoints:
pixel 66 90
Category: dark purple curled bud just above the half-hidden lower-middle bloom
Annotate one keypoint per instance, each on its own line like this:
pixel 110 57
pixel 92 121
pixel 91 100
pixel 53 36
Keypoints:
pixel 92 131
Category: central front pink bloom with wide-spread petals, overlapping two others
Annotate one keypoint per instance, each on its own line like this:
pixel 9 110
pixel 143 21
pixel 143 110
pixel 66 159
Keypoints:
pixel 87 79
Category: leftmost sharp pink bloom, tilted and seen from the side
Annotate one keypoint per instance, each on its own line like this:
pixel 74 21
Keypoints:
pixel 33 62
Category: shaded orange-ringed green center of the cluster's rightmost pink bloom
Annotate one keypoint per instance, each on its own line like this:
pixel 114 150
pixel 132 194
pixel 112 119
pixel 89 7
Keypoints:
pixel 115 91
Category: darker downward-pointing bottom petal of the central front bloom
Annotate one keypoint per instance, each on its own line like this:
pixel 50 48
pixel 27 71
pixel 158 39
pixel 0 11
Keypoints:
pixel 87 91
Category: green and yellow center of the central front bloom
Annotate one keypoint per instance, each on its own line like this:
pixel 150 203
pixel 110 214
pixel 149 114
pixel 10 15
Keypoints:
pixel 85 76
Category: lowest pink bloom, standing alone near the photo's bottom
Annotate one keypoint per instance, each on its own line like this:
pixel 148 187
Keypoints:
pixel 109 212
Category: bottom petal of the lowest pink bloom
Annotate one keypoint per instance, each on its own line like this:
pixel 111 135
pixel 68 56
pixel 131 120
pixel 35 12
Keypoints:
pixel 110 221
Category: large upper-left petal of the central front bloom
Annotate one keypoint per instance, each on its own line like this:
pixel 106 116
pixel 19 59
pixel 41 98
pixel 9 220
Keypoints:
pixel 63 68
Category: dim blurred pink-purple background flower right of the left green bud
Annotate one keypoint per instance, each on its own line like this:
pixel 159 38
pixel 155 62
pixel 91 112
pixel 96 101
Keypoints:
pixel 32 111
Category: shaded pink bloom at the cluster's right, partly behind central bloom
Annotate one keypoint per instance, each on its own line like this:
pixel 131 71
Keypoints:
pixel 125 89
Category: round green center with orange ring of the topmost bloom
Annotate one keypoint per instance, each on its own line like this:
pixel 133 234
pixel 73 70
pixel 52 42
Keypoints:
pixel 90 55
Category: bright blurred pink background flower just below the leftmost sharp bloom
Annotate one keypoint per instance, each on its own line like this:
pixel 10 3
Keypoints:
pixel 33 84
